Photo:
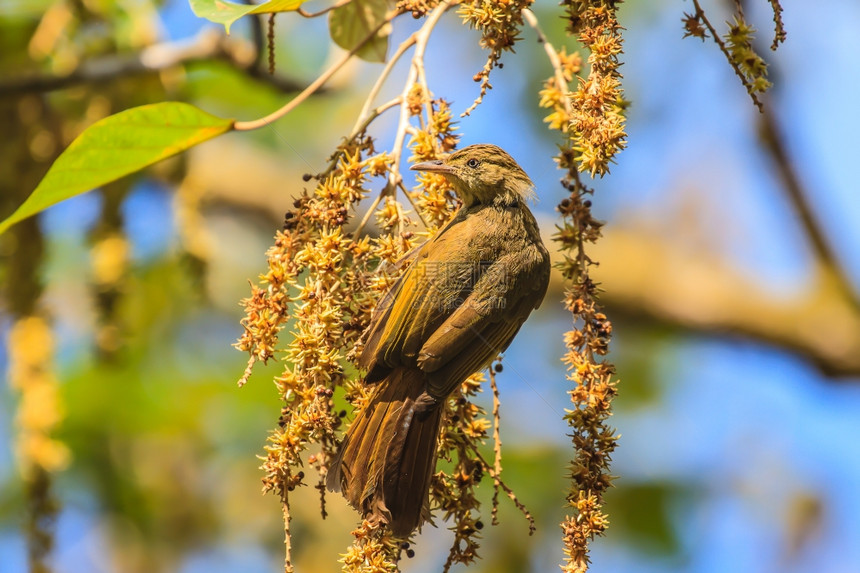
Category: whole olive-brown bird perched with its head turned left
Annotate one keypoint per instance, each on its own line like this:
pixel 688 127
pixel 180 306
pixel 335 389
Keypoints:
pixel 460 301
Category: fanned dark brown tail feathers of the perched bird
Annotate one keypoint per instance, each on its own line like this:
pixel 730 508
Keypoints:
pixel 386 460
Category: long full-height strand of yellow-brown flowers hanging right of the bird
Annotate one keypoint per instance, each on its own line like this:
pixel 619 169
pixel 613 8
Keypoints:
pixel 593 121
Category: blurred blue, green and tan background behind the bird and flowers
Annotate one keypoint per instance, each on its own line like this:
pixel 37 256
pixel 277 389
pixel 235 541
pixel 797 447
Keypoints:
pixel 730 264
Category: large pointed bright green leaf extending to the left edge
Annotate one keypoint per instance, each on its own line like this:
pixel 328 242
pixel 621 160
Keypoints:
pixel 118 145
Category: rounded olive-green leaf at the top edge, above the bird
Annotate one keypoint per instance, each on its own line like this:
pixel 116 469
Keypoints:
pixel 351 23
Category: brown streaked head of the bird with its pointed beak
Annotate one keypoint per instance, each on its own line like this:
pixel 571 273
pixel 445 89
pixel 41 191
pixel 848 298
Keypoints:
pixel 482 173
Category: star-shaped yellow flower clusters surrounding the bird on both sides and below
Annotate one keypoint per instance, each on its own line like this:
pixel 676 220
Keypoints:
pixel 323 283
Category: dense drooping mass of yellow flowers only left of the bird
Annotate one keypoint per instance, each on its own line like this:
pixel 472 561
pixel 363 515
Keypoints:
pixel 325 281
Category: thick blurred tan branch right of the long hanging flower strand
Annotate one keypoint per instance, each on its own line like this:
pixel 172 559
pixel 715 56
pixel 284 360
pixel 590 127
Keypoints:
pixel 646 278
